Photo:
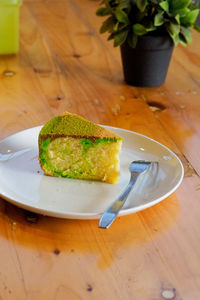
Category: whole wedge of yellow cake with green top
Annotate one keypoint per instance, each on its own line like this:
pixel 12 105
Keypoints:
pixel 73 147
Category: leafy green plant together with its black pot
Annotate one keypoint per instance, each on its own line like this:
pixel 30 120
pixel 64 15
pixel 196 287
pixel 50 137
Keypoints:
pixel 146 31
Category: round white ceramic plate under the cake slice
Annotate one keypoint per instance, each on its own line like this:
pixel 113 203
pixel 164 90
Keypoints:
pixel 22 181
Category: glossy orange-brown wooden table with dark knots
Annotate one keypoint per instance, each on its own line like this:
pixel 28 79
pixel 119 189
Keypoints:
pixel 64 64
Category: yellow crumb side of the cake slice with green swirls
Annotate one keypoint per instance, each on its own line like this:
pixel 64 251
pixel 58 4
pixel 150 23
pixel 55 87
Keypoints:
pixel 81 158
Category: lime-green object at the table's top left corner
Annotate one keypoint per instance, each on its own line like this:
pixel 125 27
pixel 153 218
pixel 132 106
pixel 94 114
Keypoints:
pixel 9 26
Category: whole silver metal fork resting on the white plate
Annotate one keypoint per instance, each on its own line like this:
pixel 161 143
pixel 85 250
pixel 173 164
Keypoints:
pixel 136 168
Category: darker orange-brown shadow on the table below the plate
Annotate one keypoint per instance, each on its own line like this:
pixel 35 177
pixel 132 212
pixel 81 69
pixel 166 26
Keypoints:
pixel 70 237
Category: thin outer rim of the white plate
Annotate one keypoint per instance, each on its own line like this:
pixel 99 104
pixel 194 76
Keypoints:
pixel 87 216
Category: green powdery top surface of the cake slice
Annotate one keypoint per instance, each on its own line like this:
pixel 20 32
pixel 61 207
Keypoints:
pixel 68 124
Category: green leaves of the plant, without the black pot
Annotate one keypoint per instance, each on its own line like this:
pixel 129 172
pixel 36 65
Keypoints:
pixel 129 19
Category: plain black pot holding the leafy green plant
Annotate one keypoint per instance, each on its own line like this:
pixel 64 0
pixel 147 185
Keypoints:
pixel 147 64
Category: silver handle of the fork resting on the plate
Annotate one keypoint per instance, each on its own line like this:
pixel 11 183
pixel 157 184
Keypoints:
pixel 111 213
